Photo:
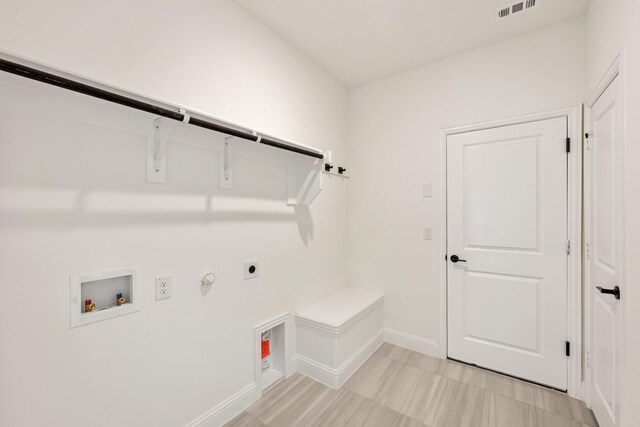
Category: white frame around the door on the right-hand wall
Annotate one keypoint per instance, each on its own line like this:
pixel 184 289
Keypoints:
pixel 616 69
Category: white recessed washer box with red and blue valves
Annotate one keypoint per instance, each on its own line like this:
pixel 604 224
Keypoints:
pixel 102 287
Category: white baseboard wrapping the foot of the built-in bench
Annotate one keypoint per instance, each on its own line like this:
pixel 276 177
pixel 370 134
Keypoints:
pixel 335 378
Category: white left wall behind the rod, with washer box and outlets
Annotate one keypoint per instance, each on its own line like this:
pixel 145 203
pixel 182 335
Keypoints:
pixel 74 198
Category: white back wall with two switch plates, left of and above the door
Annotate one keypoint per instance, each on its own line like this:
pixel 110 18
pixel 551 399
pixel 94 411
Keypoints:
pixel 394 148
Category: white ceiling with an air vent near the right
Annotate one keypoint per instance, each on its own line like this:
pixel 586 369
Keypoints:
pixel 362 40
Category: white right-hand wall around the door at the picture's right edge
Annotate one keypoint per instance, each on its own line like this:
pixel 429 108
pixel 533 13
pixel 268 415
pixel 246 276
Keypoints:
pixel 612 29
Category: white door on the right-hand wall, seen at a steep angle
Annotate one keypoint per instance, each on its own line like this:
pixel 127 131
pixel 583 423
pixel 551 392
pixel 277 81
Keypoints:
pixel 603 194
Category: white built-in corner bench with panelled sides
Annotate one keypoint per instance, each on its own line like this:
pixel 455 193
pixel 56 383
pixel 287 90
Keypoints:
pixel 334 336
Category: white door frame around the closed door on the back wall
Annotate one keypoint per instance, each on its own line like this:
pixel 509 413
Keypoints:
pixel 574 228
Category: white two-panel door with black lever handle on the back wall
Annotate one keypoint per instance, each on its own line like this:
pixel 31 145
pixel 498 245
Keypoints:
pixel 507 225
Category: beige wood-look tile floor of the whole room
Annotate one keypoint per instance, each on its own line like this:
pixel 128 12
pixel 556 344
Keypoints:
pixel 397 387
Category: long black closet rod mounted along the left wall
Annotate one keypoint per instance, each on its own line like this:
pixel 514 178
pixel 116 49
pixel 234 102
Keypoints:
pixel 72 85
